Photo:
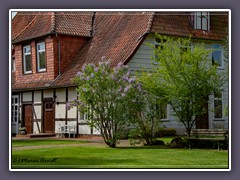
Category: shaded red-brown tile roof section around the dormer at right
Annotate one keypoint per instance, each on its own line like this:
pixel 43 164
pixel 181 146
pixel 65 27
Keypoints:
pixel 180 24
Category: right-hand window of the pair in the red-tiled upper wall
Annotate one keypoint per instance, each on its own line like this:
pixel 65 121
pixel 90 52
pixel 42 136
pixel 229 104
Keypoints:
pixel 41 58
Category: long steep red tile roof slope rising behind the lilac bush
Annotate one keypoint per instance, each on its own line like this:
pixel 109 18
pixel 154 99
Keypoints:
pixel 116 36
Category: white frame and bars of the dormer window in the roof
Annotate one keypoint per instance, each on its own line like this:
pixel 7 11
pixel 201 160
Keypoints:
pixel 200 15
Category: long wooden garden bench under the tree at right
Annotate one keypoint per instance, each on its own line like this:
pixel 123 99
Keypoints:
pixel 218 135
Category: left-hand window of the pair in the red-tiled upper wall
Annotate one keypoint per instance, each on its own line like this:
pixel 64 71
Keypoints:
pixel 27 63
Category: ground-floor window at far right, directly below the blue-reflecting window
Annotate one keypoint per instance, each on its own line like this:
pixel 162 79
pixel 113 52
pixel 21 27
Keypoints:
pixel 218 105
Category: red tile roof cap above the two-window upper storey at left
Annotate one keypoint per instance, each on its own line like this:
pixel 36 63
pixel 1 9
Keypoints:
pixel 29 25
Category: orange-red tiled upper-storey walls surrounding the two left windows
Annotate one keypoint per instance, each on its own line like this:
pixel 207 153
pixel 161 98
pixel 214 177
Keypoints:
pixel 69 48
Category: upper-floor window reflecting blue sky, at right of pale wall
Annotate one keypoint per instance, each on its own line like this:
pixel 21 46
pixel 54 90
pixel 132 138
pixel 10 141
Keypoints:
pixel 217 55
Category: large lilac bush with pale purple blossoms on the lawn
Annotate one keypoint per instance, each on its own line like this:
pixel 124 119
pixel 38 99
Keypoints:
pixel 108 95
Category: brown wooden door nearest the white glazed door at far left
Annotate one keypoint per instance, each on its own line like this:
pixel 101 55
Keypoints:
pixel 28 118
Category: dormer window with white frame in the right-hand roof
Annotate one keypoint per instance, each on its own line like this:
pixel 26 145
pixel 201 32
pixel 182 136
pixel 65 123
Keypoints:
pixel 202 21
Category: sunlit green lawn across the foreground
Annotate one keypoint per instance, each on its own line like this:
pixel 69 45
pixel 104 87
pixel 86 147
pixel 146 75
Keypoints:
pixel 86 156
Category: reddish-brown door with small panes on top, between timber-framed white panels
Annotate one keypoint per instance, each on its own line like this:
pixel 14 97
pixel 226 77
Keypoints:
pixel 49 123
